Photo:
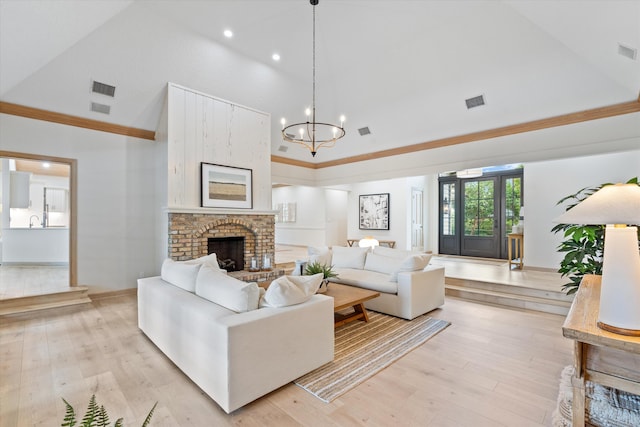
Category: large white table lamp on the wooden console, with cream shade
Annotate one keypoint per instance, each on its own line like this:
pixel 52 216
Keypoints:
pixel 616 206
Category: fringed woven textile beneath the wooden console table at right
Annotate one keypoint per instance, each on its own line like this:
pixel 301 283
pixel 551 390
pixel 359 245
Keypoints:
pixel 605 406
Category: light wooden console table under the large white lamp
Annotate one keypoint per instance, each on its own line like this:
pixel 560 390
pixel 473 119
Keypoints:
pixel 599 356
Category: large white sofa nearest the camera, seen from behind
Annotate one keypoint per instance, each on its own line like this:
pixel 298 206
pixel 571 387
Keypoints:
pixel 234 355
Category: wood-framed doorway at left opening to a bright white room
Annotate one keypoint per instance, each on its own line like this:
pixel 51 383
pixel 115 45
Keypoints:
pixel 49 212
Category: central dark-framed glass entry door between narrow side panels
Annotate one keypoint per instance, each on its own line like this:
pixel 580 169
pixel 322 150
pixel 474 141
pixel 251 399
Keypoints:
pixel 481 222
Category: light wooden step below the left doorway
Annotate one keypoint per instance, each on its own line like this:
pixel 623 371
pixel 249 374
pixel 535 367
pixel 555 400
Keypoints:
pixel 74 295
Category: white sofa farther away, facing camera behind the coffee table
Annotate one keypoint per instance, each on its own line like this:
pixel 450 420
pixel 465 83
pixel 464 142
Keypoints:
pixel 408 285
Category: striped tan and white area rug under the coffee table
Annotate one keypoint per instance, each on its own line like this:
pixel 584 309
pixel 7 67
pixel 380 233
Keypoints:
pixel 364 349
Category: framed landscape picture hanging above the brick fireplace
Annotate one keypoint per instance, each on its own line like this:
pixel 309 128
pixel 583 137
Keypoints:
pixel 226 187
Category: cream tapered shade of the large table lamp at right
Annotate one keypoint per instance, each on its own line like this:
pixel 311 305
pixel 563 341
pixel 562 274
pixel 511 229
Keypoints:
pixel 612 204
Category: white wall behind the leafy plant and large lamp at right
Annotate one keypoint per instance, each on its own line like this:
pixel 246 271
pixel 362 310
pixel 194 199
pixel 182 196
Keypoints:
pixel 547 182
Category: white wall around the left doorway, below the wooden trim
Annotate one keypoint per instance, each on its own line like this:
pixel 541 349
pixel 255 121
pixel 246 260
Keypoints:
pixel 116 196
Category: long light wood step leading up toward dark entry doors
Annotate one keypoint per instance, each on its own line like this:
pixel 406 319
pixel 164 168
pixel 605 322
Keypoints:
pixel 546 305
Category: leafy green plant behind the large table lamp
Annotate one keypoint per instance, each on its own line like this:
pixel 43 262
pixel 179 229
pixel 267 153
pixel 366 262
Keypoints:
pixel 583 245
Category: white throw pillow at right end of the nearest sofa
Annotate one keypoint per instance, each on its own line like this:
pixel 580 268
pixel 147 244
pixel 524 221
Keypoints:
pixel 291 290
